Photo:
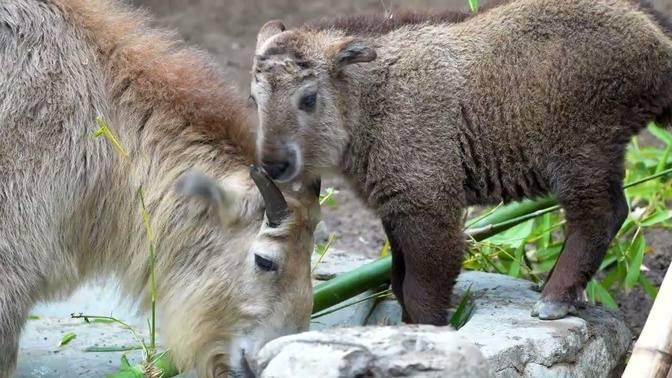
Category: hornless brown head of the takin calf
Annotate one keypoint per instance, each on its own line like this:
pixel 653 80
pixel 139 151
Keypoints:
pixel 298 88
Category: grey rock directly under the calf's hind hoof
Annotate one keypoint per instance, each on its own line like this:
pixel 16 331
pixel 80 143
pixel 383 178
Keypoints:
pixel 592 344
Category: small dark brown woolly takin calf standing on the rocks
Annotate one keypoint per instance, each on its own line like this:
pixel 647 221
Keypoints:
pixel 427 117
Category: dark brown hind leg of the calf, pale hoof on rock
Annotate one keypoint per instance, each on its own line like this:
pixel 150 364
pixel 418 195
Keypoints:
pixel 595 208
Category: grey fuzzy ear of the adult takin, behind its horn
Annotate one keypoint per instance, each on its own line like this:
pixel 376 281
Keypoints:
pixel 194 184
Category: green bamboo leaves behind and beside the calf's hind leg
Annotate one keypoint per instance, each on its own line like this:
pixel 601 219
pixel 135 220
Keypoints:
pixel 530 249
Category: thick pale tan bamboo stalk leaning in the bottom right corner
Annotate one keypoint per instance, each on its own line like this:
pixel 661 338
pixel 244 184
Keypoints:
pixel 652 355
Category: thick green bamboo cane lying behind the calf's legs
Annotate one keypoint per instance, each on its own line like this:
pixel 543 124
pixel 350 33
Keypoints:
pixel 374 274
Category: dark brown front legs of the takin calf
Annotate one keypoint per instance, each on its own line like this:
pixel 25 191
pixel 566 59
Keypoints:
pixel 431 248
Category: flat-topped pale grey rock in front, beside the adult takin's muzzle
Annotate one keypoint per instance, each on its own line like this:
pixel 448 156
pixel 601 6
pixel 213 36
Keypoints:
pixel 404 351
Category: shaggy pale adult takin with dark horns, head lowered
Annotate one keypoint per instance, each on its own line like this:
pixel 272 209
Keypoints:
pixel 232 261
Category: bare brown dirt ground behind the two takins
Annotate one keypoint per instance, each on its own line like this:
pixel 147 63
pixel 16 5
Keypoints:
pixel 227 29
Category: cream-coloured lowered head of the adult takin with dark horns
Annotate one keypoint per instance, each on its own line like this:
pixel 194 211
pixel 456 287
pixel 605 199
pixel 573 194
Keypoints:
pixel 242 273
